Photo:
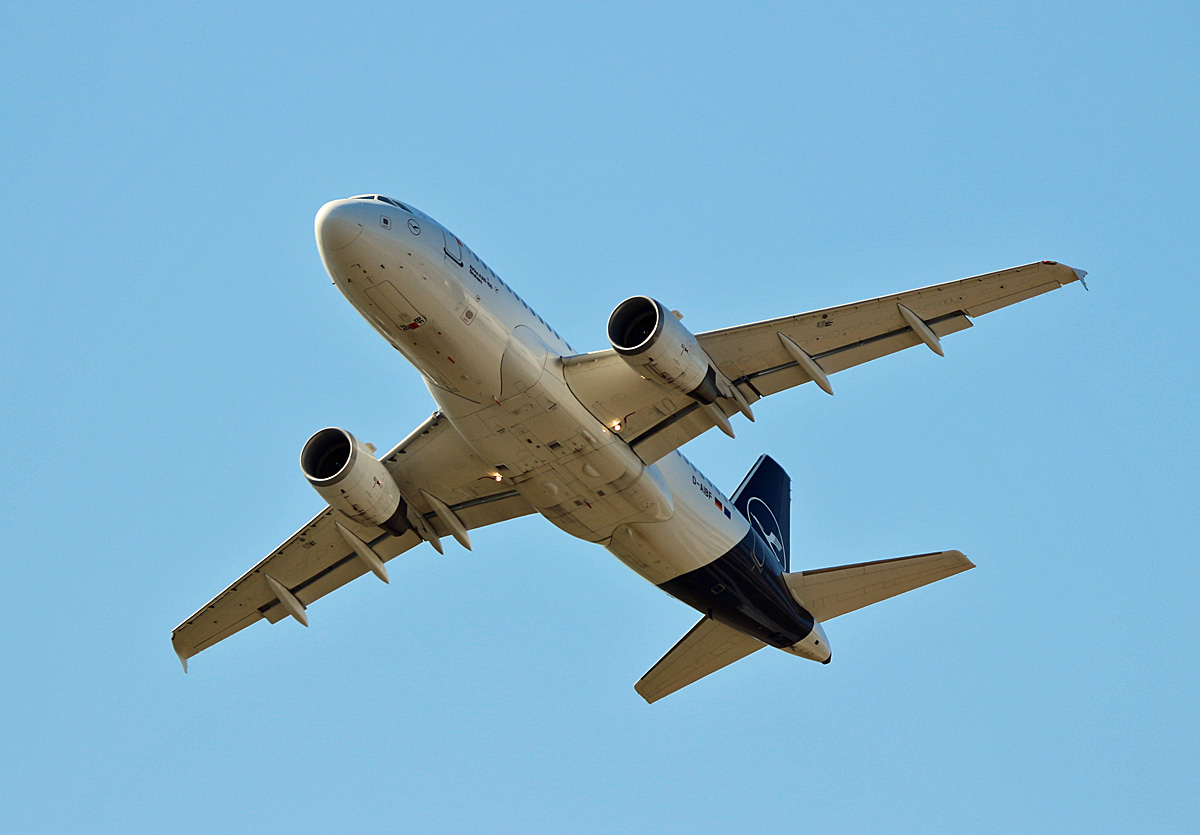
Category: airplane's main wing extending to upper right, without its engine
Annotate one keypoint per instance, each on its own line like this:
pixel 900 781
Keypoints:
pixel 758 361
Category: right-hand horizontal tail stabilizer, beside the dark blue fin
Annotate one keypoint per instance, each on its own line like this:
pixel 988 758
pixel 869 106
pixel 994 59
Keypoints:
pixel 829 593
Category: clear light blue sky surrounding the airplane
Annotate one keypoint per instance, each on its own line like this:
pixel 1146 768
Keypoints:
pixel 171 340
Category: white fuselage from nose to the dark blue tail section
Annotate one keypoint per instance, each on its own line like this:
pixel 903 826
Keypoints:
pixel 495 369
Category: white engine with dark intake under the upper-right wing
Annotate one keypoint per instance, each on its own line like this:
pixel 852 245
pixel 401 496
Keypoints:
pixel 658 347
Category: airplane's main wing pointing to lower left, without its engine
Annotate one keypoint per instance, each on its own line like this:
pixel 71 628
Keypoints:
pixel 317 558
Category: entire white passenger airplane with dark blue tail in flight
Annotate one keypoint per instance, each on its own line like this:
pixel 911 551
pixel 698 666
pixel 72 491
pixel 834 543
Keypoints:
pixel 591 442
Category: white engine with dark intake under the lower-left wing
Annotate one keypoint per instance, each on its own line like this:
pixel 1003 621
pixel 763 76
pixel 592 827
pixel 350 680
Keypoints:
pixel 352 480
